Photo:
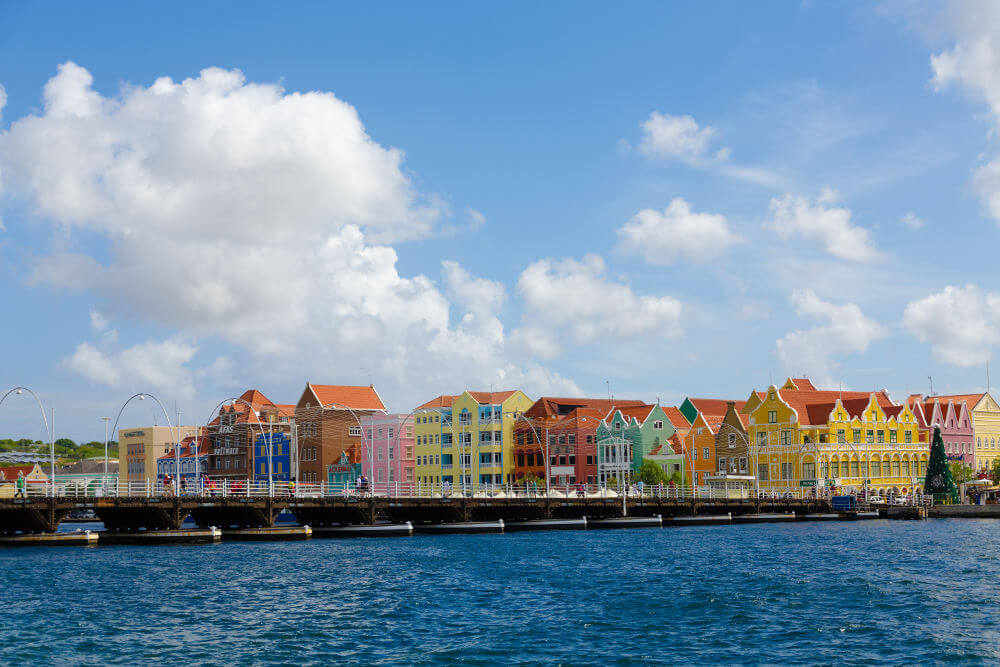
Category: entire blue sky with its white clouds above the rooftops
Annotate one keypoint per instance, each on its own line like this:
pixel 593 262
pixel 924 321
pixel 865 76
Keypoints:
pixel 648 200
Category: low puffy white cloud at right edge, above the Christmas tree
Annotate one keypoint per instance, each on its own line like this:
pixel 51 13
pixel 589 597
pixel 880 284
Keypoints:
pixel 961 324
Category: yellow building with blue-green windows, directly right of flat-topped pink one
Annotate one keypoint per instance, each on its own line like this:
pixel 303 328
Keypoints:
pixel 466 441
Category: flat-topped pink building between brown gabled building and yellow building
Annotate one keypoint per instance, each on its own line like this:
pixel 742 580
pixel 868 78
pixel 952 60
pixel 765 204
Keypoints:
pixel 387 450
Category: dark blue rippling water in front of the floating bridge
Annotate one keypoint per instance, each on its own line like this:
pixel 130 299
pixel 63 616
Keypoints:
pixel 857 592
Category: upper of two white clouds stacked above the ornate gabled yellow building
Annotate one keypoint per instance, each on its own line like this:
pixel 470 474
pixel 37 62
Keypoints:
pixel 819 221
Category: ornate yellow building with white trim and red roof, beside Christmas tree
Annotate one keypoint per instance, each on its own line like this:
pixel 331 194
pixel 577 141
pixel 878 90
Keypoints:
pixel 845 441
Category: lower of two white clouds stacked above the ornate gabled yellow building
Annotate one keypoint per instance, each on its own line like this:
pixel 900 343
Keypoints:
pixel 843 329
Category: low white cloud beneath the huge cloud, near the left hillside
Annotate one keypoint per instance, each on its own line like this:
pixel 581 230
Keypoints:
pixel 160 365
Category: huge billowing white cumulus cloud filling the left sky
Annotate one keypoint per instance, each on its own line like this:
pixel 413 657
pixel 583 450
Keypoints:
pixel 239 211
